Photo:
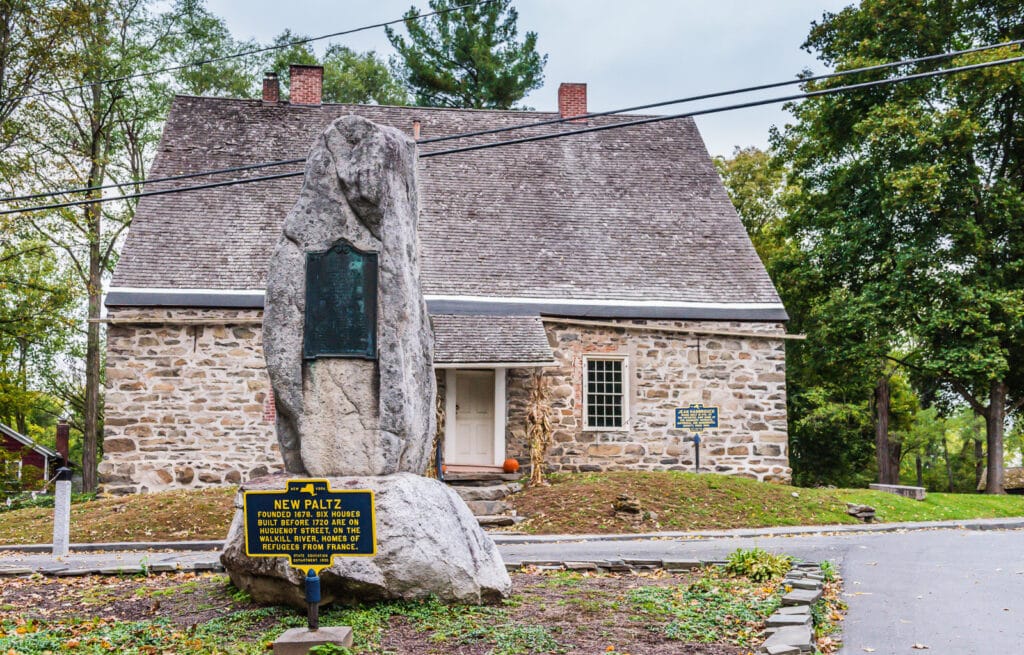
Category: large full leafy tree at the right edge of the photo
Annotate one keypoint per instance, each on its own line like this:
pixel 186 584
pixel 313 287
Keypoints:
pixel 912 197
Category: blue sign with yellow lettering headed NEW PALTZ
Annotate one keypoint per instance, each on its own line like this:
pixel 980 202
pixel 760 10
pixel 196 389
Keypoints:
pixel 310 523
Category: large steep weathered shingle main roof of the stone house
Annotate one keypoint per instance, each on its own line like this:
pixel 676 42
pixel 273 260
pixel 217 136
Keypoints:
pixel 634 217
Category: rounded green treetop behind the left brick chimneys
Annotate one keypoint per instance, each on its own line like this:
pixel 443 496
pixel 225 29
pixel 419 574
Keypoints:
pixel 350 77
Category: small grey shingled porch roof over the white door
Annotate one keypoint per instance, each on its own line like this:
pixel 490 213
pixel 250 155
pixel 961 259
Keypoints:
pixel 462 339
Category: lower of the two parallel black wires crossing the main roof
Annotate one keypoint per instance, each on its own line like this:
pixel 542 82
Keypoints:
pixel 543 138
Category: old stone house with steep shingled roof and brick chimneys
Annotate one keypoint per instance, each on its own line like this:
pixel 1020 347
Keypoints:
pixel 613 261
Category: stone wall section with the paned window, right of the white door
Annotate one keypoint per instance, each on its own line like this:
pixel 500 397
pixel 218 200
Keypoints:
pixel 744 376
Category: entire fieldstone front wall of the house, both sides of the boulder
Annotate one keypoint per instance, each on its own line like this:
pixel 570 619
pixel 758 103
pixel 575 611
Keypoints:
pixel 189 404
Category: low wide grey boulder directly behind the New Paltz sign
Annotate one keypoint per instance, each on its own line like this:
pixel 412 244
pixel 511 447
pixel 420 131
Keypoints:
pixel 429 544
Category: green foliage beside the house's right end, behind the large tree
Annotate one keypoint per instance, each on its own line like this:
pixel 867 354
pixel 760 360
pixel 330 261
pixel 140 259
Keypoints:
pixel 838 380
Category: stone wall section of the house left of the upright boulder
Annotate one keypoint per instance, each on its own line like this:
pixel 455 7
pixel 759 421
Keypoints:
pixel 188 405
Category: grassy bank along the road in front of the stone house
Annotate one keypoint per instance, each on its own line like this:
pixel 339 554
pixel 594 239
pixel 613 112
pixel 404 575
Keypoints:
pixel 572 505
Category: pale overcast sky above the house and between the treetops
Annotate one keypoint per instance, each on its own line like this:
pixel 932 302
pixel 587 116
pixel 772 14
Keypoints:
pixel 628 54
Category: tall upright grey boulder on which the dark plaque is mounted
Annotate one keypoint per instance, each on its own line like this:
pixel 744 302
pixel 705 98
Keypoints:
pixel 350 416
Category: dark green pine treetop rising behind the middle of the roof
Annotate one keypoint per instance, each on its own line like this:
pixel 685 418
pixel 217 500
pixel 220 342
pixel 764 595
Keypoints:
pixel 468 57
